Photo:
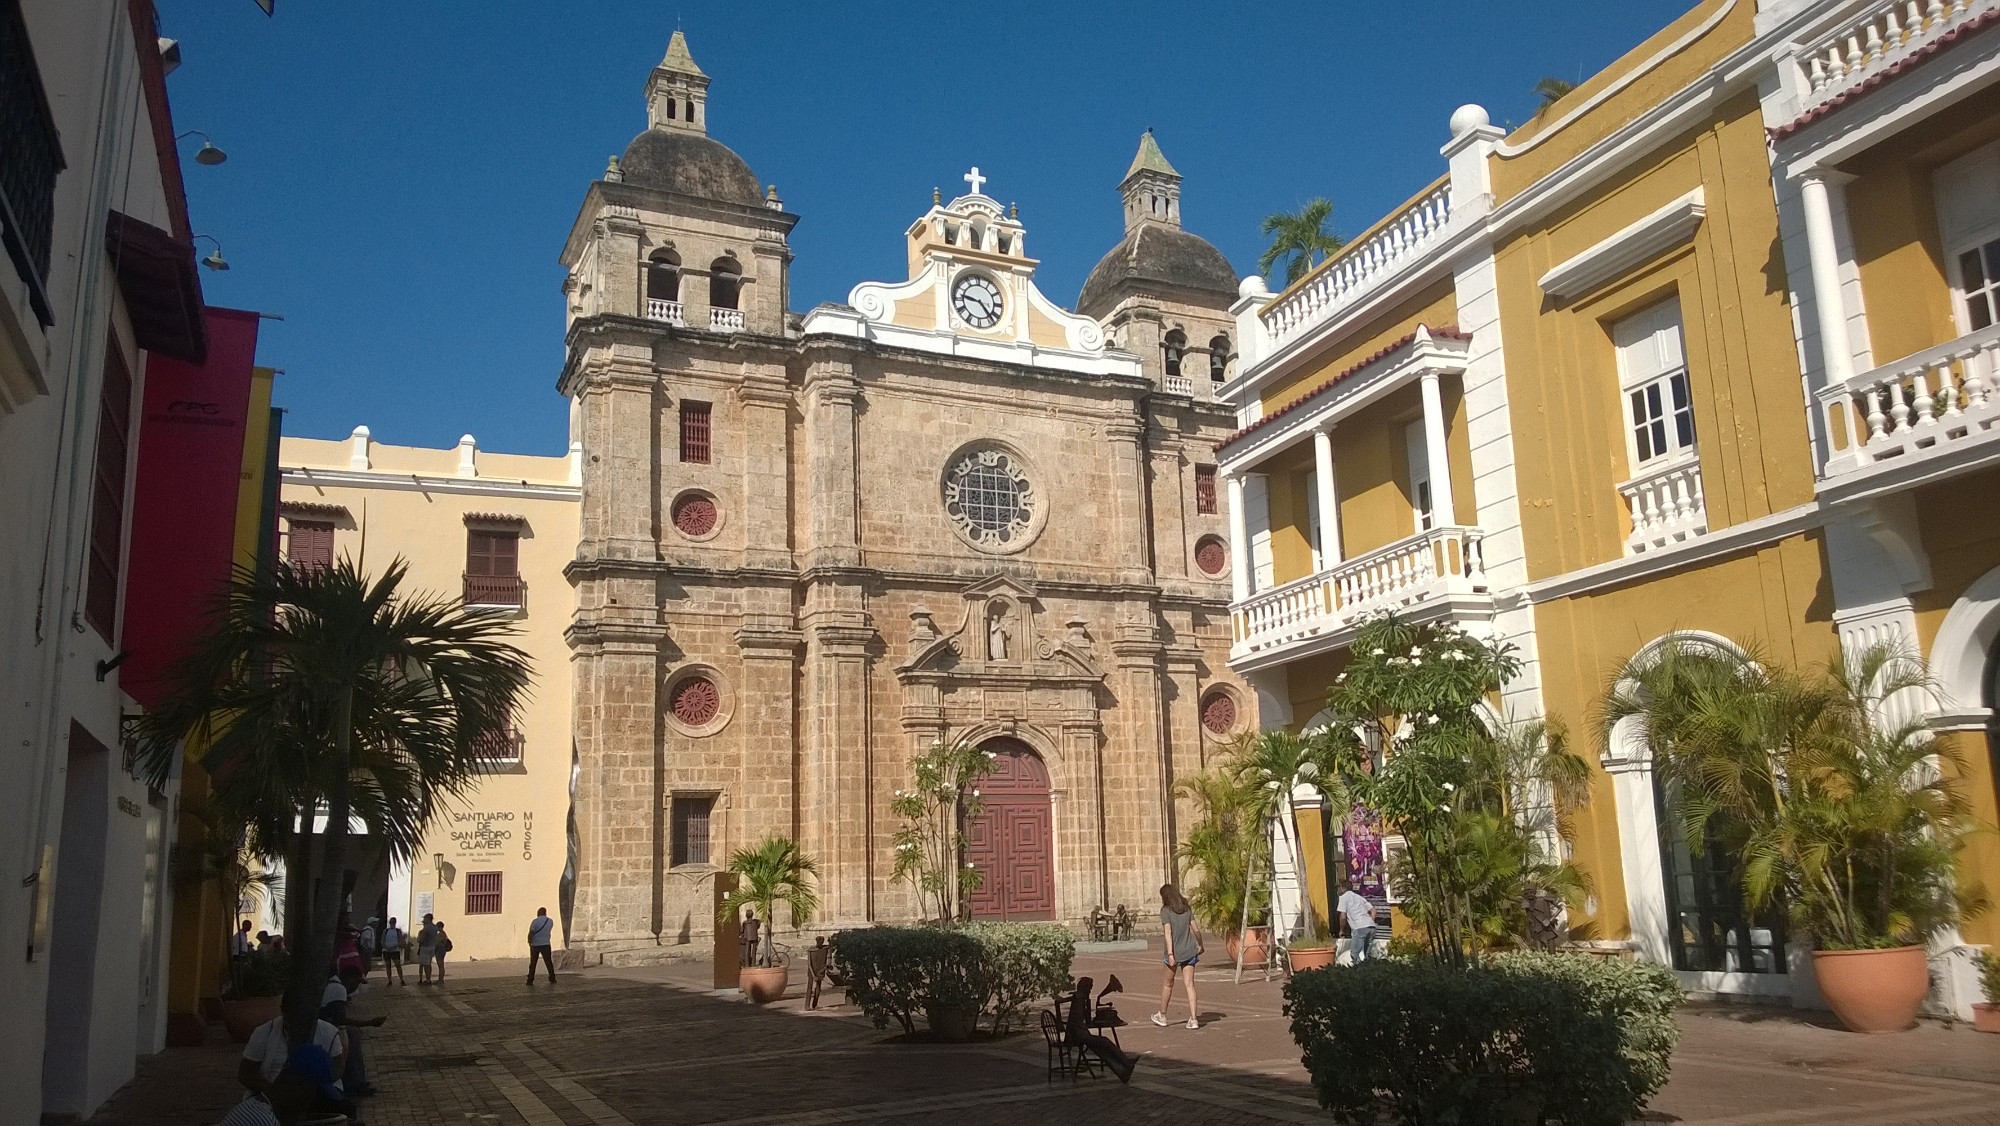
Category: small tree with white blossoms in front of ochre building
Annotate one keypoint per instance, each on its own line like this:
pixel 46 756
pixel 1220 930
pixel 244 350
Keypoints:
pixel 1483 811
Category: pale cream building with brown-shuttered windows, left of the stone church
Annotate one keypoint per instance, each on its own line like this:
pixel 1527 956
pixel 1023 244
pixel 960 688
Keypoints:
pixel 497 531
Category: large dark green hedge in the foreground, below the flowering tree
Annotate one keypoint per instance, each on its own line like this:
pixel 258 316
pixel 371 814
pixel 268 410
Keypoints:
pixel 1515 1039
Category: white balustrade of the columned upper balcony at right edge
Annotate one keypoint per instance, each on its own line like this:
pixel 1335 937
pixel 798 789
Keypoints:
pixel 1919 407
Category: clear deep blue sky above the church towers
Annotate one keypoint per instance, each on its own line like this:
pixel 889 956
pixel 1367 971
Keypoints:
pixel 403 173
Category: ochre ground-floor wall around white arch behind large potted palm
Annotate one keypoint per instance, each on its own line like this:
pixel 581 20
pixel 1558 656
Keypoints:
pixel 1775 601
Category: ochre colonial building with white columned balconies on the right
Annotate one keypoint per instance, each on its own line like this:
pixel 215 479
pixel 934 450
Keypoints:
pixel 1703 349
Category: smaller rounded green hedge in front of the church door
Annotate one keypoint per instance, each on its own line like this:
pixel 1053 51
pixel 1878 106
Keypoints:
pixel 995 969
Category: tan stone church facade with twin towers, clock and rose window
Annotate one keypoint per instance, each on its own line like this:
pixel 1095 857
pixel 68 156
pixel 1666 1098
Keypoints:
pixel 817 545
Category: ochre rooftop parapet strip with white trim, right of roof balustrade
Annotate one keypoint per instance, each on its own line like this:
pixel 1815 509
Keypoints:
pixel 1511 177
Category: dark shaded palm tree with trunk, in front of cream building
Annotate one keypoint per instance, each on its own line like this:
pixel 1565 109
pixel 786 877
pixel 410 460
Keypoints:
pixel 319 691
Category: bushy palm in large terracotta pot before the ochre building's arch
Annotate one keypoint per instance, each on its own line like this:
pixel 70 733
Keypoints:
pixel 1841 813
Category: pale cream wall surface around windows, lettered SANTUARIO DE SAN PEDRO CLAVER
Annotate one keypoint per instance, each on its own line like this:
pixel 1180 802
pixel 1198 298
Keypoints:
pixel 429 531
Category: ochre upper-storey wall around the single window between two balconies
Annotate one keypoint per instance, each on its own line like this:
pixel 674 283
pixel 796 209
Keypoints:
pixel 1563 377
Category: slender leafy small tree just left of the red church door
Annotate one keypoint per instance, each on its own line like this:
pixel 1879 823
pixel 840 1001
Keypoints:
pixel 929 847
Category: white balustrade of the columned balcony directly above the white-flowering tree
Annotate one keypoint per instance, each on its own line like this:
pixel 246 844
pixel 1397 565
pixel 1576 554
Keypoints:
pixel 1431 565
